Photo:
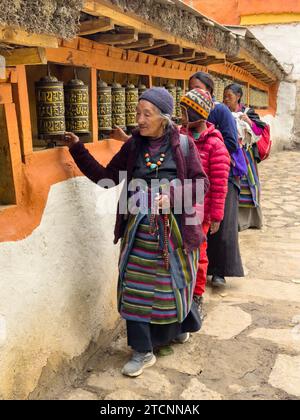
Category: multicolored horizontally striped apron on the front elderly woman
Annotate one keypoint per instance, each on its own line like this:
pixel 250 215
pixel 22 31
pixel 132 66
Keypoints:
pixel 148 291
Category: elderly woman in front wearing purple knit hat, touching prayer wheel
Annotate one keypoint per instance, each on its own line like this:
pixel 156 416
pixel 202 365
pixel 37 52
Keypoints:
pixel 159 249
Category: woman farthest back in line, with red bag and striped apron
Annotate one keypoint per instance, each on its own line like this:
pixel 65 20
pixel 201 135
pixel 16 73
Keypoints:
pixel 250 214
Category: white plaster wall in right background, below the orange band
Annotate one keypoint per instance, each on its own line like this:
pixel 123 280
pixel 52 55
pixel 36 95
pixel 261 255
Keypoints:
pixel 282 40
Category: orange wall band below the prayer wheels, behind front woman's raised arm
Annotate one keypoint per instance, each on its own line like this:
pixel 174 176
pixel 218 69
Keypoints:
pixel 42 170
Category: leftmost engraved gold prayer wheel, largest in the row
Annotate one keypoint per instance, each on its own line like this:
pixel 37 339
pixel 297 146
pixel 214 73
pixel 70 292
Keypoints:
pixel 50 106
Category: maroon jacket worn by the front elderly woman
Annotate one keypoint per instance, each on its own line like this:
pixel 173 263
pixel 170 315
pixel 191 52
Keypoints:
pixel 187 168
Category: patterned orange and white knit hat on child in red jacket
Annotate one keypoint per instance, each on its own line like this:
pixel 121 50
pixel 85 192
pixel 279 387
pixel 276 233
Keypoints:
pixel 199 101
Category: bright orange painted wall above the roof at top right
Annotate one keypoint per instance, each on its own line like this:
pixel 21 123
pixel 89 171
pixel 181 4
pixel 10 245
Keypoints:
pixel 229 12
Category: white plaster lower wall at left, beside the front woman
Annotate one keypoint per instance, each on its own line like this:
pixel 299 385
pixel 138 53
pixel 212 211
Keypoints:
pixel 58 286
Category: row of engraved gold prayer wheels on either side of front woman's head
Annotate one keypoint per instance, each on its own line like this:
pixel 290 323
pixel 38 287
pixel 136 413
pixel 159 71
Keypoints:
pixel 63 108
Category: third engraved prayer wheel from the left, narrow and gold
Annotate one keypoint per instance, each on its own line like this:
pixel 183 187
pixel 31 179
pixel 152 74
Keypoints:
pixel 104 106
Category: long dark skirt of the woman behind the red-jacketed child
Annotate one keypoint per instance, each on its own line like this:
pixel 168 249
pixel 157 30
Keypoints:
pixel 223 247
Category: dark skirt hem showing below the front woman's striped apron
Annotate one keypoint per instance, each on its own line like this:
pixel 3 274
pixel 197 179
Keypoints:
pixel 144 337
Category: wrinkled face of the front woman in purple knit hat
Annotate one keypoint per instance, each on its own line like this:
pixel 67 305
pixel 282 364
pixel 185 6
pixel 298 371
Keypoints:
pixel 149 120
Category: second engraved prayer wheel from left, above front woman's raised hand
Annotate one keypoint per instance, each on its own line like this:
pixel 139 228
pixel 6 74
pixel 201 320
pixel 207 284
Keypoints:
pixel 77 106
